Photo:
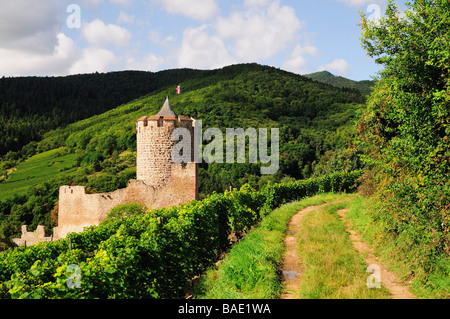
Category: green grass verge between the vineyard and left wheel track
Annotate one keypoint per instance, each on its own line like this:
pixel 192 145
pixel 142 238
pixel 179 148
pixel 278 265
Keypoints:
pixel 251 269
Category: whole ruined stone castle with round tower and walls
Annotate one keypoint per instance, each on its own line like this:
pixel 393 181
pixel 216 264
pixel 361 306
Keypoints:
pixel 159 181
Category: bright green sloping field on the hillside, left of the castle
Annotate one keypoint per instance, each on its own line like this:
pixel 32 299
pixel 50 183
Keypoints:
pixel 36 170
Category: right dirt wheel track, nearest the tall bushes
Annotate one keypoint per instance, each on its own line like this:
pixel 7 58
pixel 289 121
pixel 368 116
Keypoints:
pixel 387 278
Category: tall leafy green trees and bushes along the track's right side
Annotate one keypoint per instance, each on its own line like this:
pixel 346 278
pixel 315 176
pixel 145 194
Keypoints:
pixel 405 131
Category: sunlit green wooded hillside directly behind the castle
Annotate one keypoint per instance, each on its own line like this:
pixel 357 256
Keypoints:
pixel 316 123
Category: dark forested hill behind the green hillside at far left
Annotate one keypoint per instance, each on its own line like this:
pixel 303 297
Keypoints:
pixel 31 106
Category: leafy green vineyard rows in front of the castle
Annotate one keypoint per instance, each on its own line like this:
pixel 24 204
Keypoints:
pixel 155 254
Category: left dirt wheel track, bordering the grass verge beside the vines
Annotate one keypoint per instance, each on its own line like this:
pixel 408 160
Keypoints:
pixel 292 271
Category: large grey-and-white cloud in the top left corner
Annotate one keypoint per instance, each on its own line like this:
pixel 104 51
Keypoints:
pixel 31 42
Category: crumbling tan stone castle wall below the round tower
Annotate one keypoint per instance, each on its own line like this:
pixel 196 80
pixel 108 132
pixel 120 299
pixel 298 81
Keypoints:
pixel 78 210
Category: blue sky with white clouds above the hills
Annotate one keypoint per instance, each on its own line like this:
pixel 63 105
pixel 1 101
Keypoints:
pixel 302 36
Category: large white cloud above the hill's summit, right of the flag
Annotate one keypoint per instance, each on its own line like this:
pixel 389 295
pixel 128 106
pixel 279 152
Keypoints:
pixel 259 33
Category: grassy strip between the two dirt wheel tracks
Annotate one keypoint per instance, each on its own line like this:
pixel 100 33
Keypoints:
pixel 334 269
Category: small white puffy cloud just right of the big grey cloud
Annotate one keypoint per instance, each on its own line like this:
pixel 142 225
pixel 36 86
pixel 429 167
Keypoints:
pixel 97 33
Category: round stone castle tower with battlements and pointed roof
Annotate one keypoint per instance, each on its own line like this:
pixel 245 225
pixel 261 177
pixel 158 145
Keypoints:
pixel 154 145
